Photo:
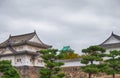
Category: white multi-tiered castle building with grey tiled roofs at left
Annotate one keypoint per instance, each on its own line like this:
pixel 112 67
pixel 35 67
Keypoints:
pixel 21 50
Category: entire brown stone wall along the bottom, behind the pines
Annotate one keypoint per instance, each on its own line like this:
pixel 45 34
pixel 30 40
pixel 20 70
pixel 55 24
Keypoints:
pixel 70 72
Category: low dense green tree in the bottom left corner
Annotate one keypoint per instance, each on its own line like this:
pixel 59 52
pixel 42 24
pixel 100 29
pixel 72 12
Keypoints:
pixel 8 70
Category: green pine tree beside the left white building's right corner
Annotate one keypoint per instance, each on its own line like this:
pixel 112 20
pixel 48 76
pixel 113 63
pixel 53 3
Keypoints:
pixel 52 65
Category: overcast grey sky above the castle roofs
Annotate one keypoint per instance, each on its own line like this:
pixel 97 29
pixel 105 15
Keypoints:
pixel 77 23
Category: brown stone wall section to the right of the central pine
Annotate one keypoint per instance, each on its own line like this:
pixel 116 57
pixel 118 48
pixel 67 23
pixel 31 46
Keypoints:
pixel 75 72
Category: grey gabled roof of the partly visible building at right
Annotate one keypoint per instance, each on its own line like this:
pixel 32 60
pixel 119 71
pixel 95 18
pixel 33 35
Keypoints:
pixel 110 45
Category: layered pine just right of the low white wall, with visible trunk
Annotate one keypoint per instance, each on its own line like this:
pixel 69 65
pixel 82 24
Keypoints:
pixel 92 57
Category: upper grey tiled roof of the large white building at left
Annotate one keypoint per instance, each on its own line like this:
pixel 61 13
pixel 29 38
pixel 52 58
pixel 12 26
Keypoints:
pixel 23 39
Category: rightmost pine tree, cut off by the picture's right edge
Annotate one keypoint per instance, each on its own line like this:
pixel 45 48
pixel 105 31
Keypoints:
pixel 113 63
